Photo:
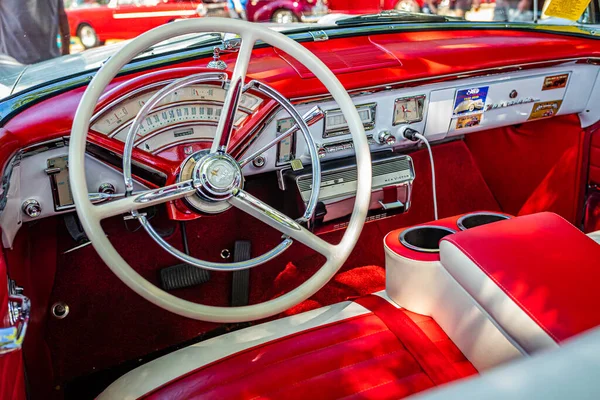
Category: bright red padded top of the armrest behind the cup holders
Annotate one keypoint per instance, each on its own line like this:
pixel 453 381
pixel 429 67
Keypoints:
pixel 546 265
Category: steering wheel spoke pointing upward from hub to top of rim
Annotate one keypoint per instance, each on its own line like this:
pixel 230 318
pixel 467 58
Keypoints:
pixel 232 99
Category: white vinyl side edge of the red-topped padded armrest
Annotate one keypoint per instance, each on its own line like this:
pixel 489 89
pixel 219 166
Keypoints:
pixel 505 312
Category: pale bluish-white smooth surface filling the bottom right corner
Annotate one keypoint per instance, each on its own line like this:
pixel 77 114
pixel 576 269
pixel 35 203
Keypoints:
pixel 570 372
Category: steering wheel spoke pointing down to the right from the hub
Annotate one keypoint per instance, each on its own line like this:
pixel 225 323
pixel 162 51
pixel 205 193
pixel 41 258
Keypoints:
pixel 284 224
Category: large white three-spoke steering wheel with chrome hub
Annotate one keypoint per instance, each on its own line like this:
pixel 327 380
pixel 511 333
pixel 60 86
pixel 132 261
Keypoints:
pixel 223 188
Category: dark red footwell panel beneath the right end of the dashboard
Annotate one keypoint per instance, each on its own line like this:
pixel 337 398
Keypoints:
pixel 533 167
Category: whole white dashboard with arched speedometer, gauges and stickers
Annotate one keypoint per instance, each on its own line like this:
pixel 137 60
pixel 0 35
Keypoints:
pixel 440 111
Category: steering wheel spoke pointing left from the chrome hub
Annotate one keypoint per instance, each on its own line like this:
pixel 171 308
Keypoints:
pixel 145 199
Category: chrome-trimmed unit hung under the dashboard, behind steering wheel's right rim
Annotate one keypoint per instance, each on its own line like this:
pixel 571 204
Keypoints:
pixel 393 176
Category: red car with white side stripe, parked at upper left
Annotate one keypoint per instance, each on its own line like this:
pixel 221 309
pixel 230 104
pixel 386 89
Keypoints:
pixel 96 21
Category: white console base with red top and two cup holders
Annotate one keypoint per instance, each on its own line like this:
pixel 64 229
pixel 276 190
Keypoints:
pixel 417 281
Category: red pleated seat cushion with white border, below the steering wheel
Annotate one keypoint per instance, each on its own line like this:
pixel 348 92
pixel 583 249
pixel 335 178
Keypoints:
pixel 387 353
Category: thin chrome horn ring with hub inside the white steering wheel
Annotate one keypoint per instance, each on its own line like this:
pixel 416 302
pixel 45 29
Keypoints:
pixel 216 176
